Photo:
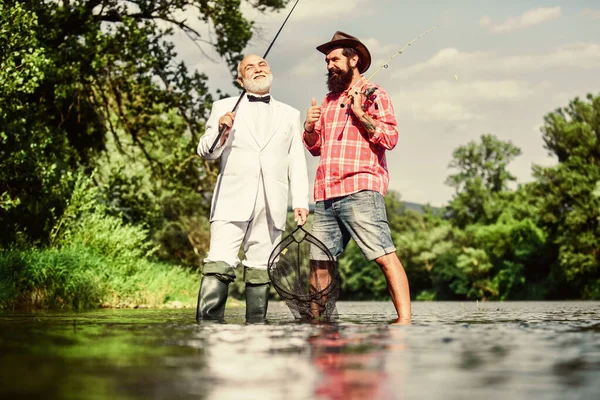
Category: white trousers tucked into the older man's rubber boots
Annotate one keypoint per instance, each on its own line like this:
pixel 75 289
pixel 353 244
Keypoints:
pixel 259 237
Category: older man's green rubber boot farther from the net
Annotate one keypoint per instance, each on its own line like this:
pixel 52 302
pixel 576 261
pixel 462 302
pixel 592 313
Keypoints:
pixel 214 288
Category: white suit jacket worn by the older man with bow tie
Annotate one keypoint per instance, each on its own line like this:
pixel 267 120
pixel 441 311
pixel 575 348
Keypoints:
pixel 279 158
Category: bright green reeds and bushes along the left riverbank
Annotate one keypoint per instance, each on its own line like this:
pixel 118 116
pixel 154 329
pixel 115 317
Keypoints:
pixel 94 260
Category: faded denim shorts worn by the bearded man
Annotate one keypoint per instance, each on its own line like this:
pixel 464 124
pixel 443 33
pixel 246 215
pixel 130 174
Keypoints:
pixel 360 216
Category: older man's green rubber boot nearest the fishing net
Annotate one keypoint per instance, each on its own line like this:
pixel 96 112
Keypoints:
pixel 257 294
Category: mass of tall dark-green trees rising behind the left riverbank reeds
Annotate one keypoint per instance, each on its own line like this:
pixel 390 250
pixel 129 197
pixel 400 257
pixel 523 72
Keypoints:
pixel 102 78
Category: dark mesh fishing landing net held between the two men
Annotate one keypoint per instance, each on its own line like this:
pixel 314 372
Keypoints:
pixel 310 288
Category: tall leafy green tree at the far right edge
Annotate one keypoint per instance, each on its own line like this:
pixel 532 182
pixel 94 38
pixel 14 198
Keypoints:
pixel 568 196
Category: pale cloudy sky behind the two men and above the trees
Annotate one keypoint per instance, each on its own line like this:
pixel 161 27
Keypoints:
pixel 488 67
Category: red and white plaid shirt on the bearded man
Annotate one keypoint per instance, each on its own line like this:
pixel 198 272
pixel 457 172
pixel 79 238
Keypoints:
pixel 350 160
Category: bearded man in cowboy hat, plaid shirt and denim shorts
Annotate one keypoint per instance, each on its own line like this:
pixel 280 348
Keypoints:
pixel 351 131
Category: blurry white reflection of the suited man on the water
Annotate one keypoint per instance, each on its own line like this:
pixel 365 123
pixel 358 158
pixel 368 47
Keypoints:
pixel 247 361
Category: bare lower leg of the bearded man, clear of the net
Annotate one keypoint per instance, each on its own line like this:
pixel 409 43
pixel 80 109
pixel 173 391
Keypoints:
pixel 397 284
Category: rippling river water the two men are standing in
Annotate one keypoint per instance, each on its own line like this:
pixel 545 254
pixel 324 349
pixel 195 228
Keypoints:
pixel 451 350
